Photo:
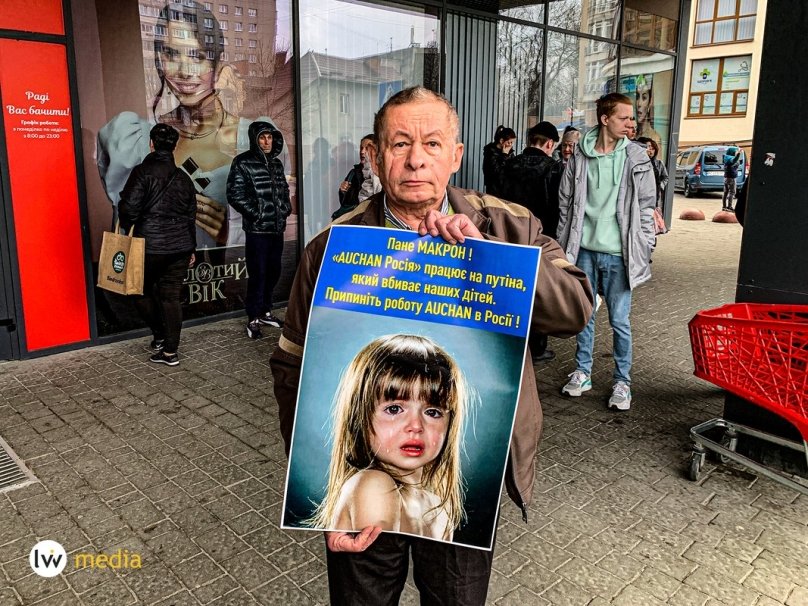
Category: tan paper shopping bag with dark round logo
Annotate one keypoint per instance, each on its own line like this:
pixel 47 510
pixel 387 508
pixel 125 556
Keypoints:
pixel 120 266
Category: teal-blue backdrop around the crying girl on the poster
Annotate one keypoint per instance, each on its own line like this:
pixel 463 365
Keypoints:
pixel 493 365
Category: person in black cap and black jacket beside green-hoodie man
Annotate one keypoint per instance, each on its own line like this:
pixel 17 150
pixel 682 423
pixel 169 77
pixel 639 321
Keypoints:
pixel 532 179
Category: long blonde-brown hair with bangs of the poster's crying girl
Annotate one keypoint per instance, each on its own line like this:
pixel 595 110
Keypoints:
pixel 388 368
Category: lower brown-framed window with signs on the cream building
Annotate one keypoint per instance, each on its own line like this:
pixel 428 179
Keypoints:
pixel 719 87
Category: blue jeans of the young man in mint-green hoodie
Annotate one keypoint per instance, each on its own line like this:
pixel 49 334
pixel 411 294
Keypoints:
pixel 609 272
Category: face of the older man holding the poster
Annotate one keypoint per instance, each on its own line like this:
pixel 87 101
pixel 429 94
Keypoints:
pixel 417 153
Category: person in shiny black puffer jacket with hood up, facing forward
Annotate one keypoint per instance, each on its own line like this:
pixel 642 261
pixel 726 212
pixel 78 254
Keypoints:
pixel 258 190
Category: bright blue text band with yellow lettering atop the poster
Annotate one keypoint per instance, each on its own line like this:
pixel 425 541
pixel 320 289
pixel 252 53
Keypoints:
pixel 509 314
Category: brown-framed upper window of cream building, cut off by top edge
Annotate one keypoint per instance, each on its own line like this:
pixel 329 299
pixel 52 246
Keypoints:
pixel 719 21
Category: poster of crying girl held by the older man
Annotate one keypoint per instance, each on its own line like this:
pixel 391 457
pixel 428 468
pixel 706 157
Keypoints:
pixel 410 378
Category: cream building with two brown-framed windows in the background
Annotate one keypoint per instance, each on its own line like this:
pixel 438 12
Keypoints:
pixel 722 71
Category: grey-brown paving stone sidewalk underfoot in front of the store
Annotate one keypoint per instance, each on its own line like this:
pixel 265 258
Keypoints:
pixel 184 467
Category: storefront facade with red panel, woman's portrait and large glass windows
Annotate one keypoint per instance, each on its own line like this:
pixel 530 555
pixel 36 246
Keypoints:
pixel 83 81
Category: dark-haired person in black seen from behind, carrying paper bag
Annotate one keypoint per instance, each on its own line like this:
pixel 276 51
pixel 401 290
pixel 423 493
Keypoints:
pixel 159 200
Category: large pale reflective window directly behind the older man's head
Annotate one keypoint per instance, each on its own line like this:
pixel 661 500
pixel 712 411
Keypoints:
pixel 355 56
